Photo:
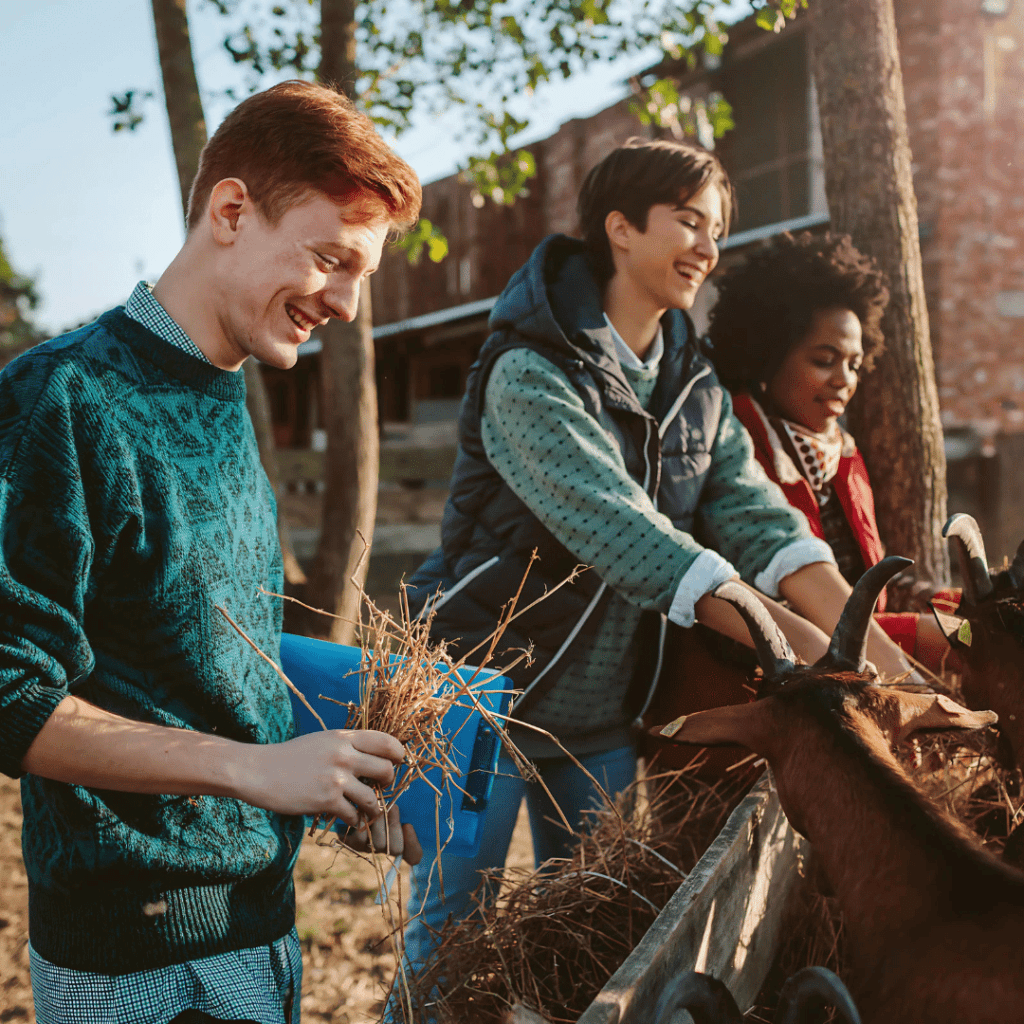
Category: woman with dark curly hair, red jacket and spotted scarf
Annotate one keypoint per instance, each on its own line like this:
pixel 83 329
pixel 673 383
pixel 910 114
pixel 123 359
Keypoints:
pixel 795 327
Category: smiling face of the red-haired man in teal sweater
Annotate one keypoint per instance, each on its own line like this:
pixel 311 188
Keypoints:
pixel 286 279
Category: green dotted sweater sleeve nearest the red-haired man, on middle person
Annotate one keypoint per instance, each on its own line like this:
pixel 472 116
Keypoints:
pixel 564 465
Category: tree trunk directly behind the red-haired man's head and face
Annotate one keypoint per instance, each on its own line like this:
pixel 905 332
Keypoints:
pixel 350 395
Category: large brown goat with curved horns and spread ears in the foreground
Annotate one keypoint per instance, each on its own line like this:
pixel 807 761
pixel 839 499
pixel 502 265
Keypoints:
pixel 934 922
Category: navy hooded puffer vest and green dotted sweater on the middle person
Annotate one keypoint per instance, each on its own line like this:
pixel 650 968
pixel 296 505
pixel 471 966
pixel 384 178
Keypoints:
pixel 642 474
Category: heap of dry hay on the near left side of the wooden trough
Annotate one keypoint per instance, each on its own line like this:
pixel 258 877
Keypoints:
pixel 556 935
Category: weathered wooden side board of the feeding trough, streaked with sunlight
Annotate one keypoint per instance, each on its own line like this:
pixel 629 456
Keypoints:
pixel 724 920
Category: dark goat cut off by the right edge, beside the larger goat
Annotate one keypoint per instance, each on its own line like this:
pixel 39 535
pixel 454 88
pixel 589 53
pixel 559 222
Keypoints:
pixel 992 649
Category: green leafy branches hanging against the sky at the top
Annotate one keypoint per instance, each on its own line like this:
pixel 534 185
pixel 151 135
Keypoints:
pixel 487 59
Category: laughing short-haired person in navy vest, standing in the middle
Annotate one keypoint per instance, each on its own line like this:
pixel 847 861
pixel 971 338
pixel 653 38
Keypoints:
pixel 595 431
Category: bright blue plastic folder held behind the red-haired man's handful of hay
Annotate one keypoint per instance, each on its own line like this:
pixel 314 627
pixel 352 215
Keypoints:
pixel 319 667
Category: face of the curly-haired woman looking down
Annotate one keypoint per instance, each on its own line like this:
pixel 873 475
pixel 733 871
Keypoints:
pixel 820 375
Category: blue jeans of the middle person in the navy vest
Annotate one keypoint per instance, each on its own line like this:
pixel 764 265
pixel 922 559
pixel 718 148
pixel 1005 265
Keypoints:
pixel 574 793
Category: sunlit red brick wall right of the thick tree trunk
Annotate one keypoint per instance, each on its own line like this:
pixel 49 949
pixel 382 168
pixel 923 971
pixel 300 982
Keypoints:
pixel 964 78
